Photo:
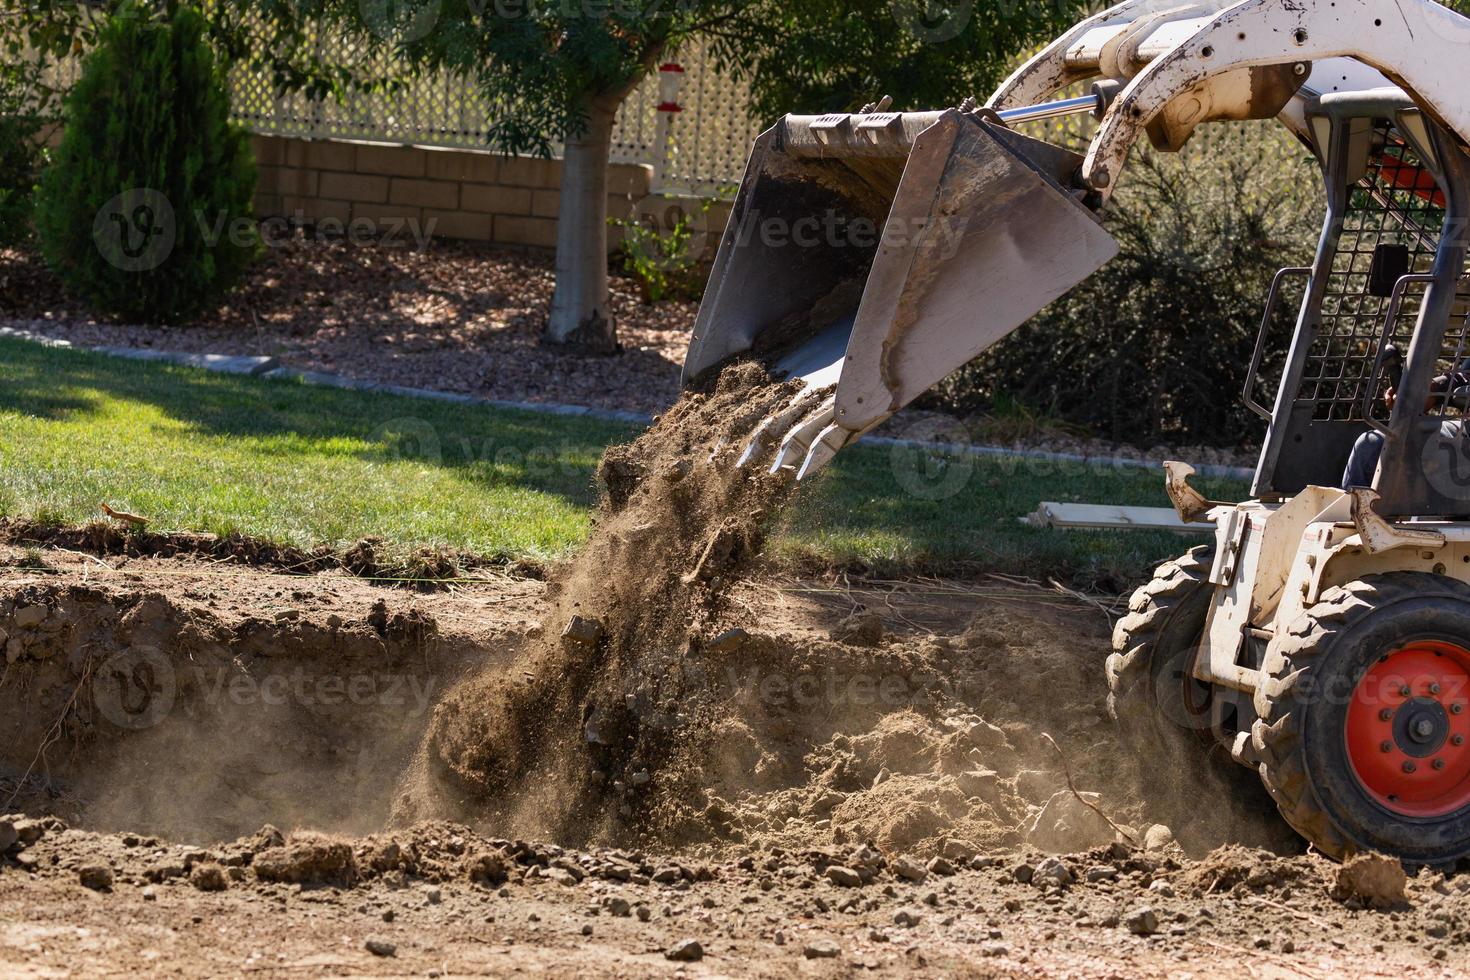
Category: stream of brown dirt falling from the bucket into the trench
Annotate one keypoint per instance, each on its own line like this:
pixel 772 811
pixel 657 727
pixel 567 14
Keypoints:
pixel 600 724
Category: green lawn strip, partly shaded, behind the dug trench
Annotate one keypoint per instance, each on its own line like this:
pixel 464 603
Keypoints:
pixel 304 465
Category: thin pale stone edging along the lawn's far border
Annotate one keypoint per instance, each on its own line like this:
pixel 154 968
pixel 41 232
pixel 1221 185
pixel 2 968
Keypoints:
pixel 271 368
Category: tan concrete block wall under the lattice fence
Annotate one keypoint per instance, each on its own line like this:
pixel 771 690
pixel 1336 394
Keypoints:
pixel 467 195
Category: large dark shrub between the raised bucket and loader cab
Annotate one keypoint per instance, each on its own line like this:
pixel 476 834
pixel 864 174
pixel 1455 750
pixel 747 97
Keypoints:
pixel 1155 347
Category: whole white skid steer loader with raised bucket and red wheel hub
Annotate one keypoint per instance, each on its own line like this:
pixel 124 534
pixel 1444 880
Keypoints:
pixel 1325 637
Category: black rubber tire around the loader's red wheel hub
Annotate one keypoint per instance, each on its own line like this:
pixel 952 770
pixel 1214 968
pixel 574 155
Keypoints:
pixel 1300 732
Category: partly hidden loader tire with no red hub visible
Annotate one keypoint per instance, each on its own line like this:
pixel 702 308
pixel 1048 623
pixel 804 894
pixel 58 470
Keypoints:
pixel 1155 643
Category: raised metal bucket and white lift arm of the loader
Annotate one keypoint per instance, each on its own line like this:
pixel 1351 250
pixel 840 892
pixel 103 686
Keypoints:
pixel 944 231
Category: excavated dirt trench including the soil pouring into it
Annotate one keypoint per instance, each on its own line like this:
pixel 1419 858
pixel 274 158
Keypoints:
pixel 631 700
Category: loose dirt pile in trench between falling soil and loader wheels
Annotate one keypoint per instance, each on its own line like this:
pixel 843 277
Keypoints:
pixel 986 741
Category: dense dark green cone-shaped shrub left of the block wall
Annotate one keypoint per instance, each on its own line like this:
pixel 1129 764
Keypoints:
pixel 145 208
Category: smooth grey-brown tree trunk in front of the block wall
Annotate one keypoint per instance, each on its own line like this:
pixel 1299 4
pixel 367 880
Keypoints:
pixel 580 314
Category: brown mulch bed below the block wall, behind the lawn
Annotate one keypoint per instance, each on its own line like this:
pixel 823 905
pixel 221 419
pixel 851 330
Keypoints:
pixel 451 317
